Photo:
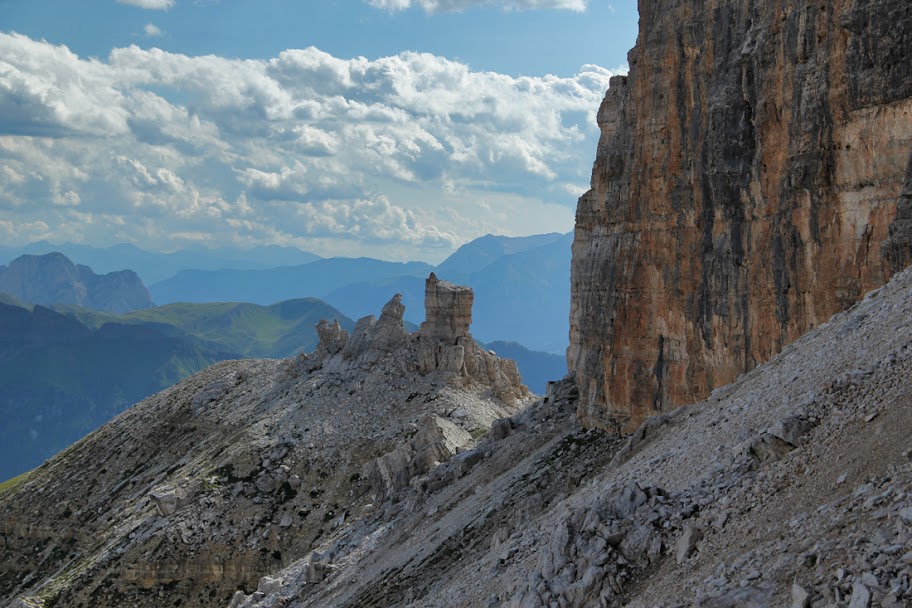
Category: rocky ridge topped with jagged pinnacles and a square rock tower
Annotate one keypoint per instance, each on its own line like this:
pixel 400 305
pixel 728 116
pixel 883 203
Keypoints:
pixel 208 486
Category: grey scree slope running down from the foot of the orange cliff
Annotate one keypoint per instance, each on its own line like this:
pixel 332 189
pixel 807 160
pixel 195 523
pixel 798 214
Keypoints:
pixel 790 487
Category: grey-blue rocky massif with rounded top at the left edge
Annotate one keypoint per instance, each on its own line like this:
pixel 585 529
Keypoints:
pixel 54 279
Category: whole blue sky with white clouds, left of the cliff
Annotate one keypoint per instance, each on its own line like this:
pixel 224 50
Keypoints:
pixel 396 129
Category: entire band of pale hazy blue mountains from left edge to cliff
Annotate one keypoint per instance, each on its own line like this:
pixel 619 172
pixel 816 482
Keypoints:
pixel 522 283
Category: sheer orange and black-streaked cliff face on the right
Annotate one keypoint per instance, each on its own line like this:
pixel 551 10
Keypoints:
pixel 753 177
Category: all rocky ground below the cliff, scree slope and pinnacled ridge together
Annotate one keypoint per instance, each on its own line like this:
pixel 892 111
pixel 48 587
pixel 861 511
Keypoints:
pixel 334 480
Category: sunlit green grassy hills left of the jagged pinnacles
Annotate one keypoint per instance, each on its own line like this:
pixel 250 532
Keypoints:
pixel 279 330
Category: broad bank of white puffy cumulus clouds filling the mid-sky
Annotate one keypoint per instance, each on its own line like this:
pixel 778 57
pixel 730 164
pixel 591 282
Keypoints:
pixel 153 147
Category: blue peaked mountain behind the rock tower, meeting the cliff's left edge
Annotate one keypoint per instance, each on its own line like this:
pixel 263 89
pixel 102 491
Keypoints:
pixel 522 296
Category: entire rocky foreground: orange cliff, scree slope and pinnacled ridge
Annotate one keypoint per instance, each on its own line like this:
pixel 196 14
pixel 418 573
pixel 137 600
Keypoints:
pixel 733 430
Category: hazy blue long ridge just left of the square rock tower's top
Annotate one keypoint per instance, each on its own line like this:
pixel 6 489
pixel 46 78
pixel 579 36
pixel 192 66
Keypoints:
pixel 315 279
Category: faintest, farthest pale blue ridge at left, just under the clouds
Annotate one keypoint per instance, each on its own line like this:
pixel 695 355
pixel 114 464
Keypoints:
pixel 153 267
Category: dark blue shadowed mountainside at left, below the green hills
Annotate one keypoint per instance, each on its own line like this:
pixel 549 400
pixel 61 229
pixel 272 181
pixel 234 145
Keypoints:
pixel 60 379
